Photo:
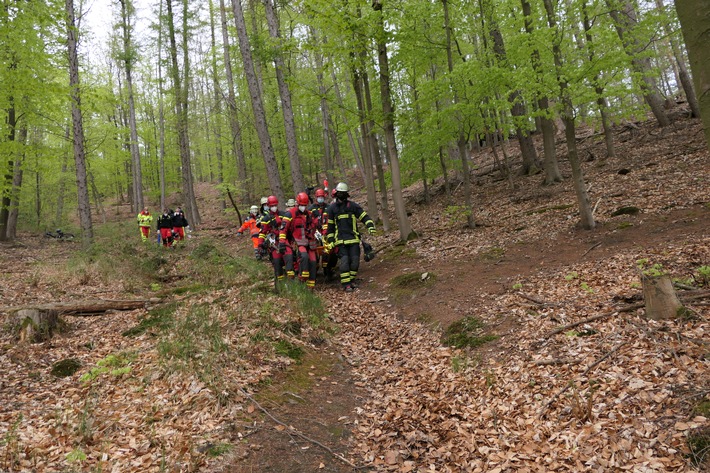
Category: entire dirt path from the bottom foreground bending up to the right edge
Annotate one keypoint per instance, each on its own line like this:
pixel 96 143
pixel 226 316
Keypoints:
pixel 324 409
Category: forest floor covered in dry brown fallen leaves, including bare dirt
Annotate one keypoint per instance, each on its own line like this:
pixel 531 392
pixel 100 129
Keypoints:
pixel 381 392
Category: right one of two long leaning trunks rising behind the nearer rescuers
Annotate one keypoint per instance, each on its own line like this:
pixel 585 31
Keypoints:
pixel 294 159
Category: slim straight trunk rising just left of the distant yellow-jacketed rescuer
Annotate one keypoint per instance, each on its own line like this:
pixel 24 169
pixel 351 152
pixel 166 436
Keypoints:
pixel 129 57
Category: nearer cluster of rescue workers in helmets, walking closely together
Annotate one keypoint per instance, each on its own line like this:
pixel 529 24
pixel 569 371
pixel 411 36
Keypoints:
pixel 307 234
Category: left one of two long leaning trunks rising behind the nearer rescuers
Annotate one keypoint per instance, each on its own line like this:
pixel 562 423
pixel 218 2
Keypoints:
pixel 262 130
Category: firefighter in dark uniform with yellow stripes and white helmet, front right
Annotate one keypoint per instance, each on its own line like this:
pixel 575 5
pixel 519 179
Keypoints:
pixel 342 233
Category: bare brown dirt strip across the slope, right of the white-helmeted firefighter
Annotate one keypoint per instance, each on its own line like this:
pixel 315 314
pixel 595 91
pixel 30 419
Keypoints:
pixel 462 283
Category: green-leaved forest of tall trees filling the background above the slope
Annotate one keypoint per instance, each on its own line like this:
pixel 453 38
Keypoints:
pixel 270 98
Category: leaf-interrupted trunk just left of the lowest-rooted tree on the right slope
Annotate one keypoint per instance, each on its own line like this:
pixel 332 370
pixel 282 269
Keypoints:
pixel 552 170
